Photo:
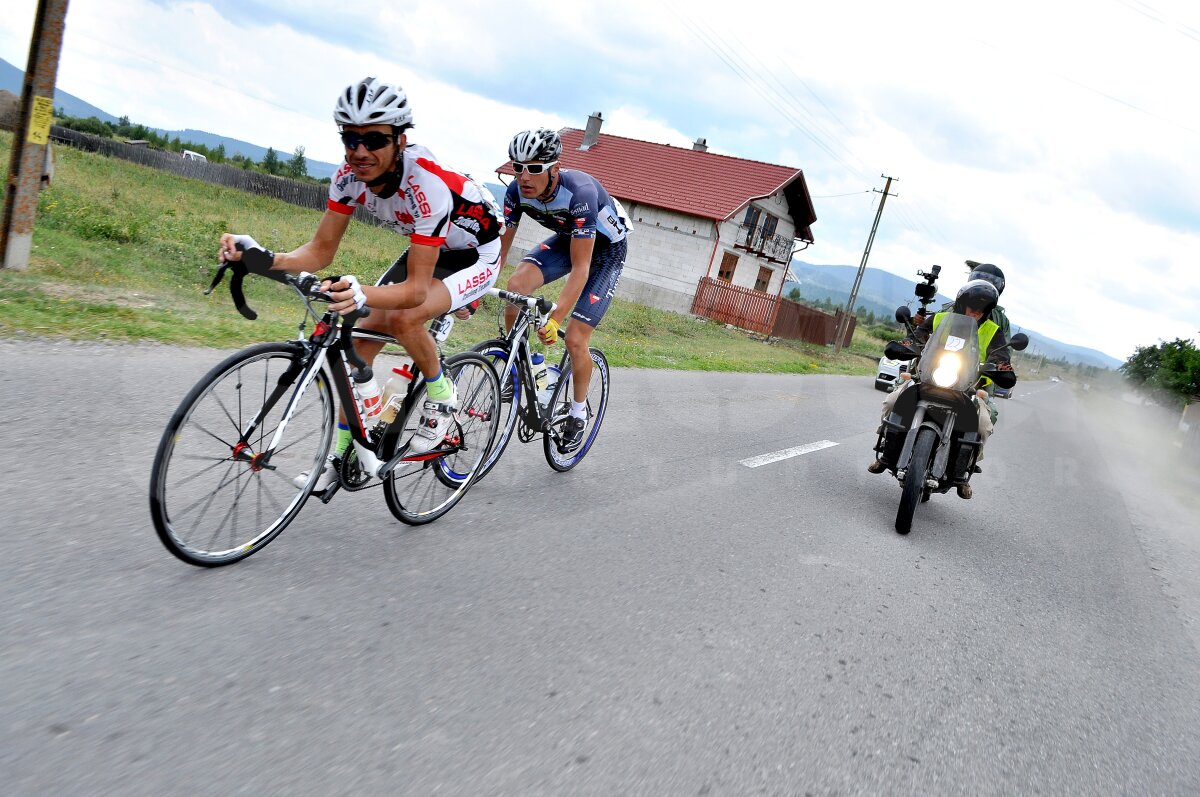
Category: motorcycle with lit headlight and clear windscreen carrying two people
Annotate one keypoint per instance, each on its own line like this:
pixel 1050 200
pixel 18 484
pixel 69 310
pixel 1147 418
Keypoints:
pixel 931 440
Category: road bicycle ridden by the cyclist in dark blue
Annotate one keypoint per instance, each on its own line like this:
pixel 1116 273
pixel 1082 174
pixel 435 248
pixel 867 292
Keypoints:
pixel 523 412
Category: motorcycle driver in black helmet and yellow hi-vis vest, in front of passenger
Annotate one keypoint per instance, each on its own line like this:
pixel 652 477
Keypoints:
pixel 976 299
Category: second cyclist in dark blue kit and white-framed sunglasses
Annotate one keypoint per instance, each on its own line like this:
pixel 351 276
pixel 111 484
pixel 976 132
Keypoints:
pixel 589 248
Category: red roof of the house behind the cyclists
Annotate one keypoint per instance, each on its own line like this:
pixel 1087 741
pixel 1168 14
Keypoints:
pixel 686 181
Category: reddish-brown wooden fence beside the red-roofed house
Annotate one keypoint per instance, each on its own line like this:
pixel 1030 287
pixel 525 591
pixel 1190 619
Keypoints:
pixel 764 314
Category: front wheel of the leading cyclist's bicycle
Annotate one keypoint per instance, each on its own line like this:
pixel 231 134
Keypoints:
pixel 215 499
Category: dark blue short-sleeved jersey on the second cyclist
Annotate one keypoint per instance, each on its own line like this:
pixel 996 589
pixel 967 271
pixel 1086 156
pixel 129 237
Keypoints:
pixel 580 208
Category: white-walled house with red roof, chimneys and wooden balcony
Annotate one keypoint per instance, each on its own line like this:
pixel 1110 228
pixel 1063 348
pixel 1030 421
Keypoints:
pixel 694 214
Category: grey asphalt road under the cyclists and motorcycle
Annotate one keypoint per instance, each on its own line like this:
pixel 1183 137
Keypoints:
pixel 662 621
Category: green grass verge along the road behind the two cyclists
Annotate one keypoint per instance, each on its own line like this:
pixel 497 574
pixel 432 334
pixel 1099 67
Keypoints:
pixel 124 253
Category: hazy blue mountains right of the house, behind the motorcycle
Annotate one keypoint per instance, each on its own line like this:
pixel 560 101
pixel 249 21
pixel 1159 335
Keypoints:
pixel 883 292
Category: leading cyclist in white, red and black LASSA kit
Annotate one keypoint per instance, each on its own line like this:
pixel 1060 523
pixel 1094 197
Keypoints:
pixel 454 226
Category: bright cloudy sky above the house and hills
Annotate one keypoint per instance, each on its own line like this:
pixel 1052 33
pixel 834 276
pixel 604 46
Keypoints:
pixel 1060 140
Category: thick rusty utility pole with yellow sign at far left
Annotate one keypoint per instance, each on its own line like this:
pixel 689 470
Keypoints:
pixel 33 135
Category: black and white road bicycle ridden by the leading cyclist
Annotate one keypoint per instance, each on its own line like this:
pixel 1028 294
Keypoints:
pixel 227 475
